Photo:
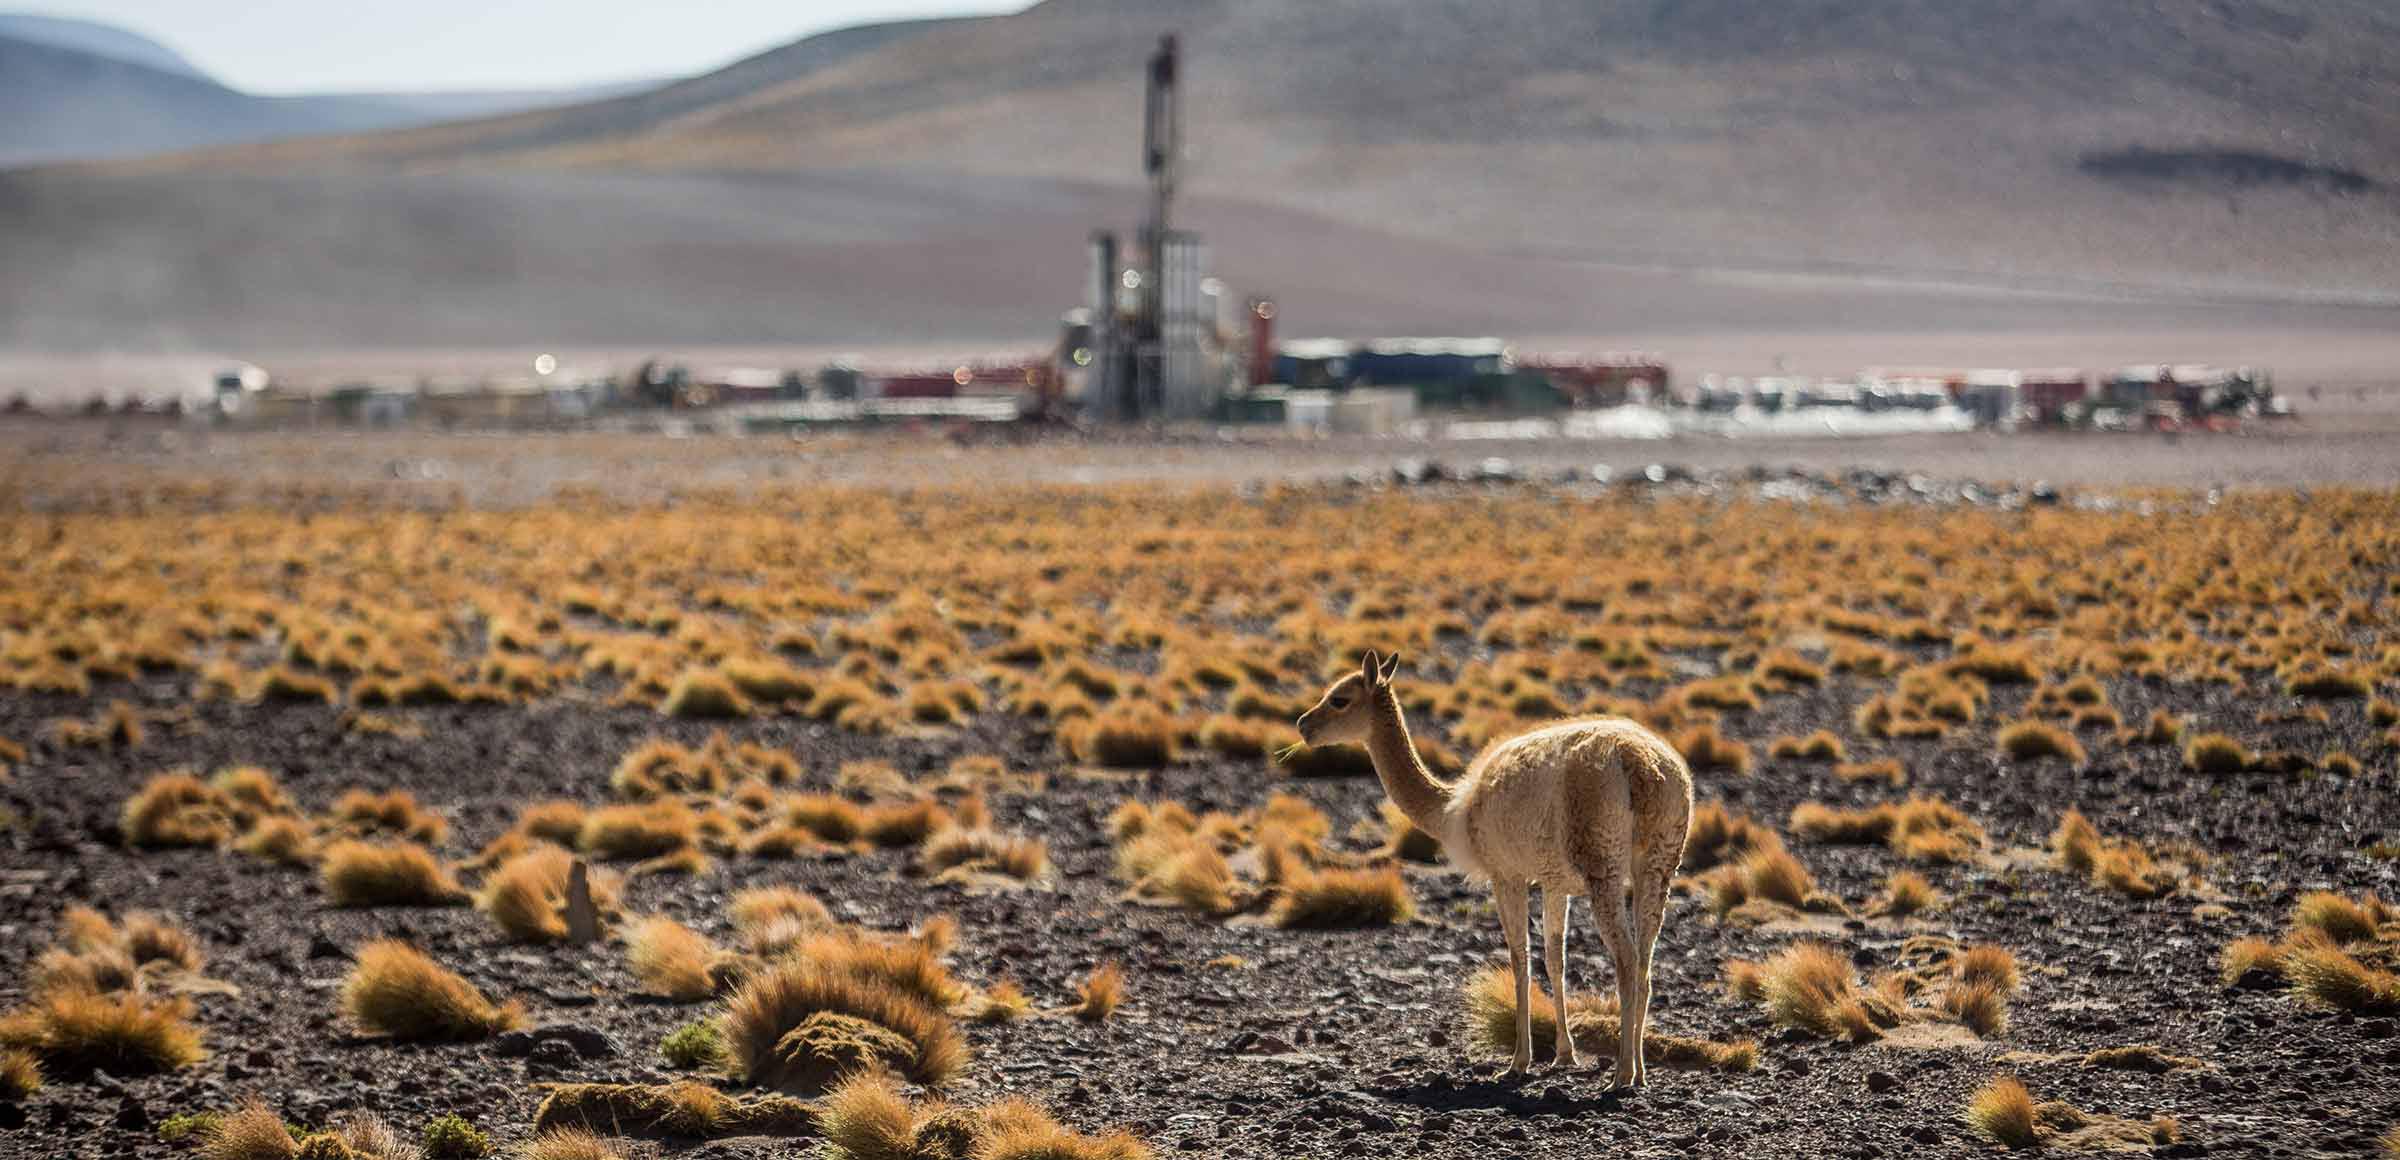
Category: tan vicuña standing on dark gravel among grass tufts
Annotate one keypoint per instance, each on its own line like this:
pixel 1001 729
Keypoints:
pixel 1592 808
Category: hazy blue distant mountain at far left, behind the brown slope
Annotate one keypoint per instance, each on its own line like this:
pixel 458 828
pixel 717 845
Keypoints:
pixel 90 92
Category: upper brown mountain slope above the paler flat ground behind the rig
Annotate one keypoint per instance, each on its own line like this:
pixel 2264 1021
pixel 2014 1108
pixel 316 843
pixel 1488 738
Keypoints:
pixel 2226 143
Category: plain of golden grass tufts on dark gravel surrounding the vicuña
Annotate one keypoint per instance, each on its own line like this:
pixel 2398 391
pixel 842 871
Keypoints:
pixel 942 690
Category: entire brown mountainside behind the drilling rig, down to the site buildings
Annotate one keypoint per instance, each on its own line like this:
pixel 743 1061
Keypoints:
pixel 1801 165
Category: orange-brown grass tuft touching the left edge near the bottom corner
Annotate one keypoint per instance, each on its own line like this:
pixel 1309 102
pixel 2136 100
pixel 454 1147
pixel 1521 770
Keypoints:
pixel 78 1032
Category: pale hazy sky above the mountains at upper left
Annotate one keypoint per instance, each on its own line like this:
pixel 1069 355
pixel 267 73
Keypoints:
pixel 284 47
